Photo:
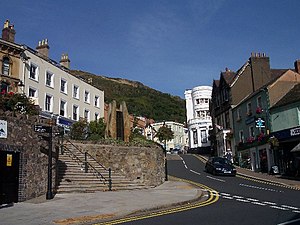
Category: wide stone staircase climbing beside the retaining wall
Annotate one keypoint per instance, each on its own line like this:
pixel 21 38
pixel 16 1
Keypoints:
pixel 80 172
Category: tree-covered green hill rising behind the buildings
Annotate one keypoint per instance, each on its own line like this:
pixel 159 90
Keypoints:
pixel 140 99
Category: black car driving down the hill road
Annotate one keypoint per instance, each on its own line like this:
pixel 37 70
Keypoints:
pixel 219 165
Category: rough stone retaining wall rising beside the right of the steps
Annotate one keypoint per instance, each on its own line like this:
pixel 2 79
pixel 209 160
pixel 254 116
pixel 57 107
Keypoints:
pixel 143 164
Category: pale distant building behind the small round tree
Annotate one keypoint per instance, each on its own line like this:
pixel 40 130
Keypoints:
pixel 180 135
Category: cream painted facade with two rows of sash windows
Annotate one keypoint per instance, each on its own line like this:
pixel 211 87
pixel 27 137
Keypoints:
pixel 57 92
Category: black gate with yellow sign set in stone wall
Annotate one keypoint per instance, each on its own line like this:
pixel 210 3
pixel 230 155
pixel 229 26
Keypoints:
pixel 9 176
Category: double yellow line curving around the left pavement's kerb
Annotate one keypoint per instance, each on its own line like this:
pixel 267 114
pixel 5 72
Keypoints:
pixel 213 197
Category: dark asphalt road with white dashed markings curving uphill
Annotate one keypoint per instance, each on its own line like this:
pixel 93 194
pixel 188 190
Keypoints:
pixel 237 200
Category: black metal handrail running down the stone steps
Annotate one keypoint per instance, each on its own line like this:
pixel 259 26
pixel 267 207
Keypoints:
pixel 87 164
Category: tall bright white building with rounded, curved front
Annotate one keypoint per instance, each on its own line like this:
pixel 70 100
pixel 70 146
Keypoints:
pixel 198 117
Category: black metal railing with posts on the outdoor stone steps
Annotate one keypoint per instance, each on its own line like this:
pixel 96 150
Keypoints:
pixel 88 165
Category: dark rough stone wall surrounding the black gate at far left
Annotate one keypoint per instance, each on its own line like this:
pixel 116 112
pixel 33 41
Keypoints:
pixel 33 163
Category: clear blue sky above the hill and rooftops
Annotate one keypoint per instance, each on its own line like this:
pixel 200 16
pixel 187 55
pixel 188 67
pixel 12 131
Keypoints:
pixel 168 45
